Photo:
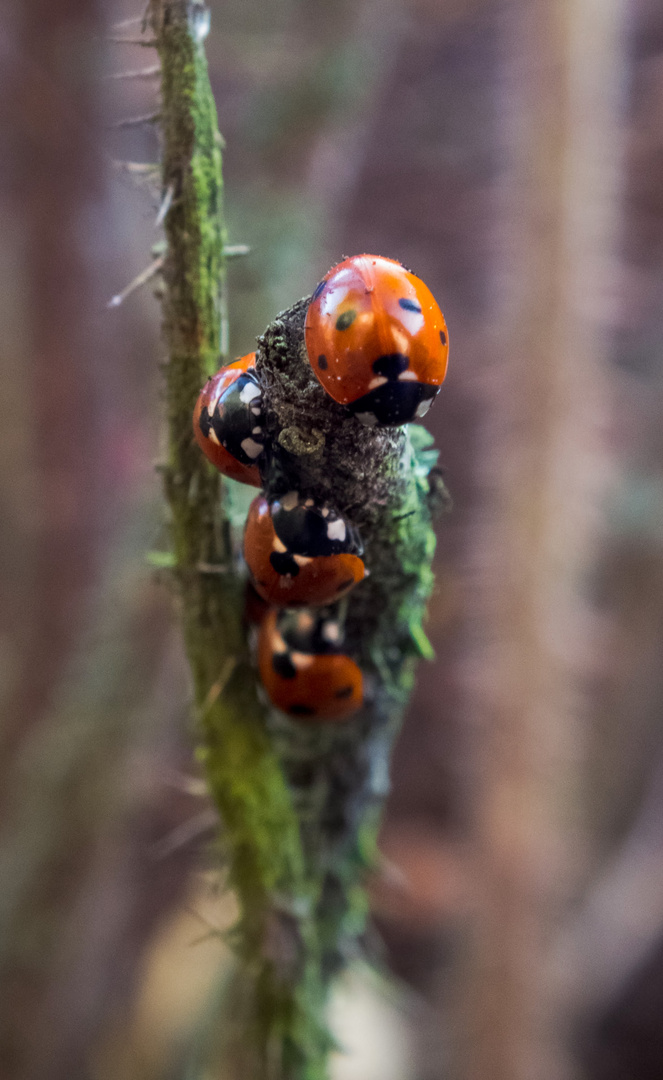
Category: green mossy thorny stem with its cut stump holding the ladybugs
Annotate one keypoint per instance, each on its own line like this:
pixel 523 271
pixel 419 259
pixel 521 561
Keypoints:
pixel 300 804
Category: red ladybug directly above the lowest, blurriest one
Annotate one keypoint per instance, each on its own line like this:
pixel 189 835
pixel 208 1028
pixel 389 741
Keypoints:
pixel 300 553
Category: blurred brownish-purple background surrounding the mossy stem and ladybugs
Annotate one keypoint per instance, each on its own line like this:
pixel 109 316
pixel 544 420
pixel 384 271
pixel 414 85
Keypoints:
pixel 511 154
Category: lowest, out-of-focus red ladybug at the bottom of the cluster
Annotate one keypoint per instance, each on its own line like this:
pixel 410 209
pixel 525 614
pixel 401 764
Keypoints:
pixel 308 685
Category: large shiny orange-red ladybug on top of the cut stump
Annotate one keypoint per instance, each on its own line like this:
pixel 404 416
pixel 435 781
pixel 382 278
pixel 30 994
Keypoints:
pixel 377 341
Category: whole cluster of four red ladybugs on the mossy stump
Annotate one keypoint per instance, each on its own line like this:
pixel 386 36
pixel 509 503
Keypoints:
pixel 377 343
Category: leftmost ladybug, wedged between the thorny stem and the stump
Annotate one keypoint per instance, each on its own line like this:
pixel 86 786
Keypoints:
pixel 228 422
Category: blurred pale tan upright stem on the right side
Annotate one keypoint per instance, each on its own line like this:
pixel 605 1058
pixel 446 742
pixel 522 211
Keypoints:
pixel 546 467
